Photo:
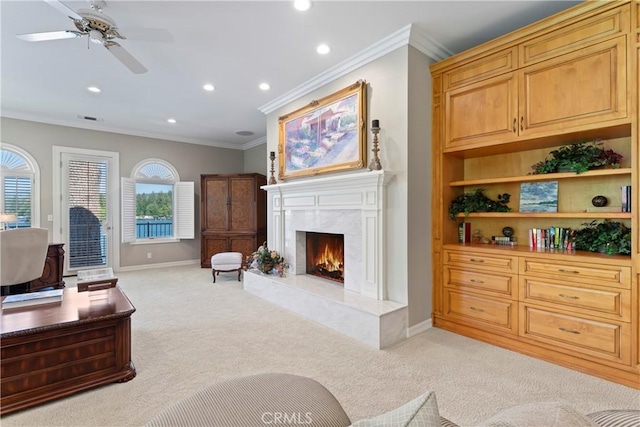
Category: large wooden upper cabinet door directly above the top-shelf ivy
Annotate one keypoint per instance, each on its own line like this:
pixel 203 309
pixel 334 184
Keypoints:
pixel 575 91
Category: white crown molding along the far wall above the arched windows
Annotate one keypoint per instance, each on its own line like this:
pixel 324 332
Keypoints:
pixel 102 128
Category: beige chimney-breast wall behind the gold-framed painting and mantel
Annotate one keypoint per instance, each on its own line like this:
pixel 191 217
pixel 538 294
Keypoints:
pixel 397 82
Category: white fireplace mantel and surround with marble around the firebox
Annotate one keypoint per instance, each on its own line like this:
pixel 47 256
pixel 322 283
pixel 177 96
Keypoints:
pixel 352 204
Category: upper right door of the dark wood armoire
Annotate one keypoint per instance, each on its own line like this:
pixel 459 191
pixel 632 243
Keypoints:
pixel 242 213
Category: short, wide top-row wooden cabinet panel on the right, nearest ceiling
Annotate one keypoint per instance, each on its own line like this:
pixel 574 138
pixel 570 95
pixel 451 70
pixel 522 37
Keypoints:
pixel 576 36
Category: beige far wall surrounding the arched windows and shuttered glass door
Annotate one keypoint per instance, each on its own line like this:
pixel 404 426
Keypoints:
pixel 190 160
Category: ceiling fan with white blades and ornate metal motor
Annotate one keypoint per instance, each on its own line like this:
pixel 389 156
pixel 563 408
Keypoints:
pixel 100 29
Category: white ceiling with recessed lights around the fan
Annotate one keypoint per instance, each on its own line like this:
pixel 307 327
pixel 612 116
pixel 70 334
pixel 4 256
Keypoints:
pixel 235 45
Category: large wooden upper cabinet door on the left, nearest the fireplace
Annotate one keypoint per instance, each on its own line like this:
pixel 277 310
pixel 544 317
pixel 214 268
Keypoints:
pixel 481 113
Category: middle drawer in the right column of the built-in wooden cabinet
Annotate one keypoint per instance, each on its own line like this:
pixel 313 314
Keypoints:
pixel 602 302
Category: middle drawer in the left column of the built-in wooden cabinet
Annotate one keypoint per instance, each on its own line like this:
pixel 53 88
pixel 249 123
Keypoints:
pixel 502 285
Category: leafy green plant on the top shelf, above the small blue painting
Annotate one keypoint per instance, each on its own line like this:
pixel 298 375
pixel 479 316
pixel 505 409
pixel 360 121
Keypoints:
pixel 578 158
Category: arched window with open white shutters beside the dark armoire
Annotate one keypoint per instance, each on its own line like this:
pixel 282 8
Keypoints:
pixel 156 205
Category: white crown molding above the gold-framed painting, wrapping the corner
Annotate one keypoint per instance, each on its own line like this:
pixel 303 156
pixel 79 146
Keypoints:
pixel 404 36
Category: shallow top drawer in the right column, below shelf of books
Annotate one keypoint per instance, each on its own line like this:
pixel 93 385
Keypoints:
pixel 607 275
